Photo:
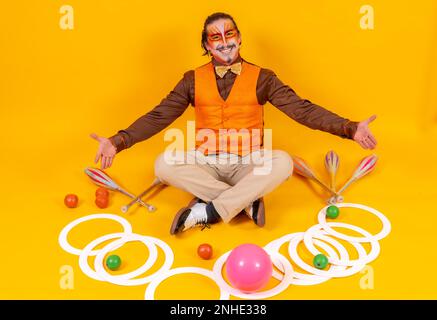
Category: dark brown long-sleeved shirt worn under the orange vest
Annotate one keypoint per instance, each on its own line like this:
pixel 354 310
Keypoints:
pixel 269 89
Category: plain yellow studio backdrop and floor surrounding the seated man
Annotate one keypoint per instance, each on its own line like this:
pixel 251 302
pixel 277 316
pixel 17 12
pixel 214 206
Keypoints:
pixel 123 57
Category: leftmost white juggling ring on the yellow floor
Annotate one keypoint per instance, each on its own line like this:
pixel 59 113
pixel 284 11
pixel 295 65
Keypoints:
pixel 64 233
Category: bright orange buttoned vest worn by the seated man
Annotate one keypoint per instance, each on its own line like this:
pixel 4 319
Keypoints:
pixel 234 125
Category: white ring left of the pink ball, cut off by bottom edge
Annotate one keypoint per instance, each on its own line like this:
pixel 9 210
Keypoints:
pixel 151 288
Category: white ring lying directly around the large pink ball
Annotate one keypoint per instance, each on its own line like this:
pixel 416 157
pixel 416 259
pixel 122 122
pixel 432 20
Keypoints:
pixel 218 266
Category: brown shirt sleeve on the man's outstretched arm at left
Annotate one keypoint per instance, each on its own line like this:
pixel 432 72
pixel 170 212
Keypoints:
pixel 170 108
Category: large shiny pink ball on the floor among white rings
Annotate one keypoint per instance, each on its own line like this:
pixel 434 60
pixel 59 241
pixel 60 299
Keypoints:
pixel 249 267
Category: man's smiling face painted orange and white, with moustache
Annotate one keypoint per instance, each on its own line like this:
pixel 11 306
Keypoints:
pixel 223 41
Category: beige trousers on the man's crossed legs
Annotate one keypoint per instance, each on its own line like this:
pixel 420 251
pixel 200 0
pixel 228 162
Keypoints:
pixel 231 182
